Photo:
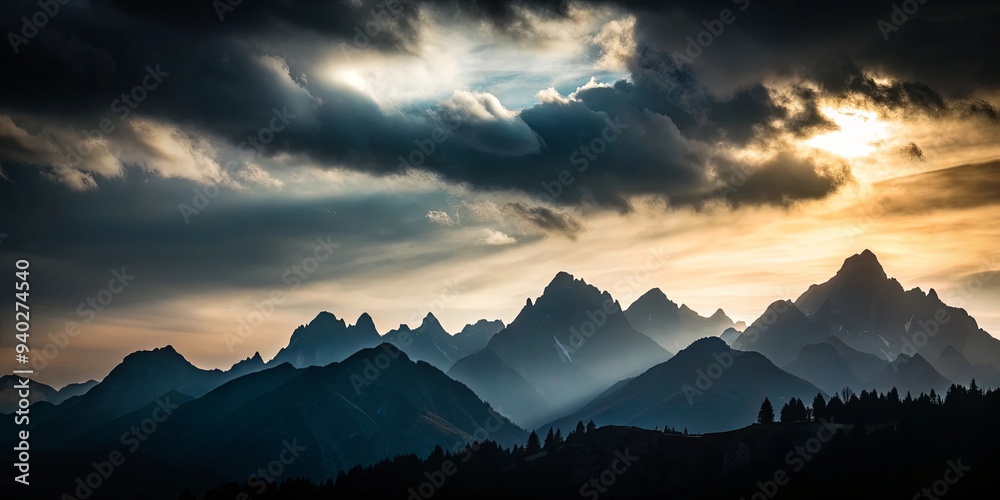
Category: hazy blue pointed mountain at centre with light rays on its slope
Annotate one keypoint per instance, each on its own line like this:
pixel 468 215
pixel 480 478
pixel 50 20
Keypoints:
pixel 560 351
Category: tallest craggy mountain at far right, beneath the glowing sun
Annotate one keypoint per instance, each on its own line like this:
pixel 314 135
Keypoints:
pixel 870 313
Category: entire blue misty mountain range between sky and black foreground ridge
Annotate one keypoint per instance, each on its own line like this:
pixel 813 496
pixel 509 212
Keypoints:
pixel 353 396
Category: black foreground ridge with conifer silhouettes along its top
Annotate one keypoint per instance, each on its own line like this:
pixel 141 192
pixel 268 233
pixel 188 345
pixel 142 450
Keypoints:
pixel 873 445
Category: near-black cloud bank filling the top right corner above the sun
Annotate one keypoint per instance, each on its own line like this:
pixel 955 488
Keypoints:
pixel 946 45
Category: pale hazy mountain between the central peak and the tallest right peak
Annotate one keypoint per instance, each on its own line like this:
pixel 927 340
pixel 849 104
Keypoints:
pixel 673 327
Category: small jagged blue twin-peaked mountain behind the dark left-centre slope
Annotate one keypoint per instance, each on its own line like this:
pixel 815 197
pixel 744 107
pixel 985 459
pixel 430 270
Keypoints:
pixel 327 339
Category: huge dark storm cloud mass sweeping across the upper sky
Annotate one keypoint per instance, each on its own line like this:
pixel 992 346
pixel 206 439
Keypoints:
pixel 640 138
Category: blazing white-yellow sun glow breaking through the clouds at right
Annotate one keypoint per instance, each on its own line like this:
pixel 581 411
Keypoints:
pixel 860 133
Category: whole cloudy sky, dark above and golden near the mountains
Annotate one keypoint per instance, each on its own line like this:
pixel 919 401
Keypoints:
pixel 181 165
